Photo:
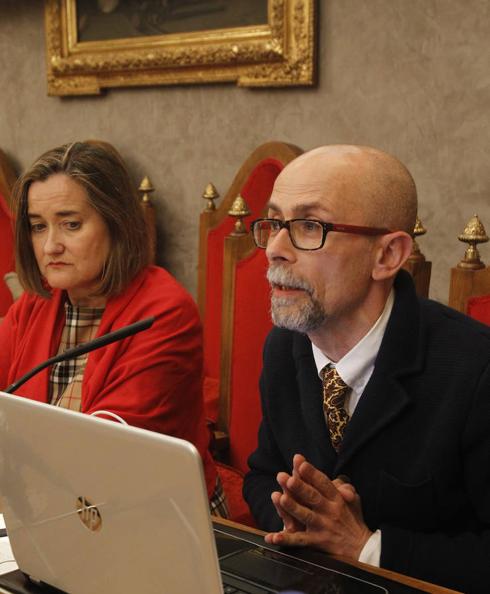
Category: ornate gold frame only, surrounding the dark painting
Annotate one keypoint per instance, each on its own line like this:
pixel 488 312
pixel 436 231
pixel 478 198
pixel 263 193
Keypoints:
pixel 280 52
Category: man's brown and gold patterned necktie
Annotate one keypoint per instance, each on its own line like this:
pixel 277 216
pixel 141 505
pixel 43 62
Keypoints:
pixel 334 392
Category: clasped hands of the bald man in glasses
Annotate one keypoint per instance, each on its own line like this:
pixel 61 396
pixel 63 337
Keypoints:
pixel 318 512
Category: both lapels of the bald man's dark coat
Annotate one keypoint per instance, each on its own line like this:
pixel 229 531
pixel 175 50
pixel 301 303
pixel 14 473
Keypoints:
pixel 384 399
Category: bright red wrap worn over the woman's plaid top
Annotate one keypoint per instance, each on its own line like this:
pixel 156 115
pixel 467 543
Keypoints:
pixel 152 380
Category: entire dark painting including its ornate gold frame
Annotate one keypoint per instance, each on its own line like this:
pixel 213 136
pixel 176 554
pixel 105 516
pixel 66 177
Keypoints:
pixel 97 44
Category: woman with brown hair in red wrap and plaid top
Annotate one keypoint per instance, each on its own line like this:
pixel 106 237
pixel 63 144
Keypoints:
pixel 82 256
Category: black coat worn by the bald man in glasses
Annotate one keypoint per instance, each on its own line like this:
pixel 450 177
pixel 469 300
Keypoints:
pixel 417 447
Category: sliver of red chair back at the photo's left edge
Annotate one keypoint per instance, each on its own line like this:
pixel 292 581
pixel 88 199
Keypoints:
pixel 7 264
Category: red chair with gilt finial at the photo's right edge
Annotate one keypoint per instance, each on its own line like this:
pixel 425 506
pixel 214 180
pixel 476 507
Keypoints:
pixel 469 290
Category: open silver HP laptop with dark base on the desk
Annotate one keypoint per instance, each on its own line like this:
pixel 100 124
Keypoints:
pixel 93 506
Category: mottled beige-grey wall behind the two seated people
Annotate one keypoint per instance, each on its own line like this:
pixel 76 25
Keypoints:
pixel 408 76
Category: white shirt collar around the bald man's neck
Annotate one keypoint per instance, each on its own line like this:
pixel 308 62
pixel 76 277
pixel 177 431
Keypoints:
pixel 356 366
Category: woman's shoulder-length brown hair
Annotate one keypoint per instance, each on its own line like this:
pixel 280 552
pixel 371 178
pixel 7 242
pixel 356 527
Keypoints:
pixel 100 170
